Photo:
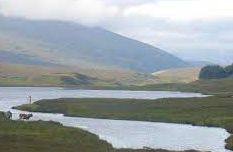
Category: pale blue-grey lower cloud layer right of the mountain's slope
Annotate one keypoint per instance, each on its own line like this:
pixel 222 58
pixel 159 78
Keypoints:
pixel 189 40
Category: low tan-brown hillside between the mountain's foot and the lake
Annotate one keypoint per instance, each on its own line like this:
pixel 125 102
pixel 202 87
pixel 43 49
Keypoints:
pixel 39 75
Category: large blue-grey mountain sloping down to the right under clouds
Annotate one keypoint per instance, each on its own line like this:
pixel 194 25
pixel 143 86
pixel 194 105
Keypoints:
pixel 46 42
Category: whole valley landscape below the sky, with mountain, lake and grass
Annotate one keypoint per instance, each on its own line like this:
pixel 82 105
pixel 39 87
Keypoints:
pixel 96 90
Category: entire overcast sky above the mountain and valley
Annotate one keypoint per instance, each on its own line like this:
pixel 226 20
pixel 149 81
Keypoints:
pixel 191 29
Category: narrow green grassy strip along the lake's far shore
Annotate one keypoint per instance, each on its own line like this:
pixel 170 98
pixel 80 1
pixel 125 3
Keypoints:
pixel 213 87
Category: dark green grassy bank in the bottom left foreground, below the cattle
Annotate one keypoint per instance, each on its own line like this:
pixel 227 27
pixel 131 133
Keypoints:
pixel 18 136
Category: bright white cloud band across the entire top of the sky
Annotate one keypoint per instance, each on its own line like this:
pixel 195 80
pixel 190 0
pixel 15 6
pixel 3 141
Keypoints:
pixel 96 11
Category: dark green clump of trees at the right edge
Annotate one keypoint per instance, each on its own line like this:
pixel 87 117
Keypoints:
pixel 216 72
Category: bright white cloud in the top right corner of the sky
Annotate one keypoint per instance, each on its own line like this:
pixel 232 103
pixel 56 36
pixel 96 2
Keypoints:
pixel 184 10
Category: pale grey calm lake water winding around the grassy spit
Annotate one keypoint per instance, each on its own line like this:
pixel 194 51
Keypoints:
pixel 120 133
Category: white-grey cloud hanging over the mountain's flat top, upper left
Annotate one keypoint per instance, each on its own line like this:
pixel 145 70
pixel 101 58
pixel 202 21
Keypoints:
pixel 84 11
